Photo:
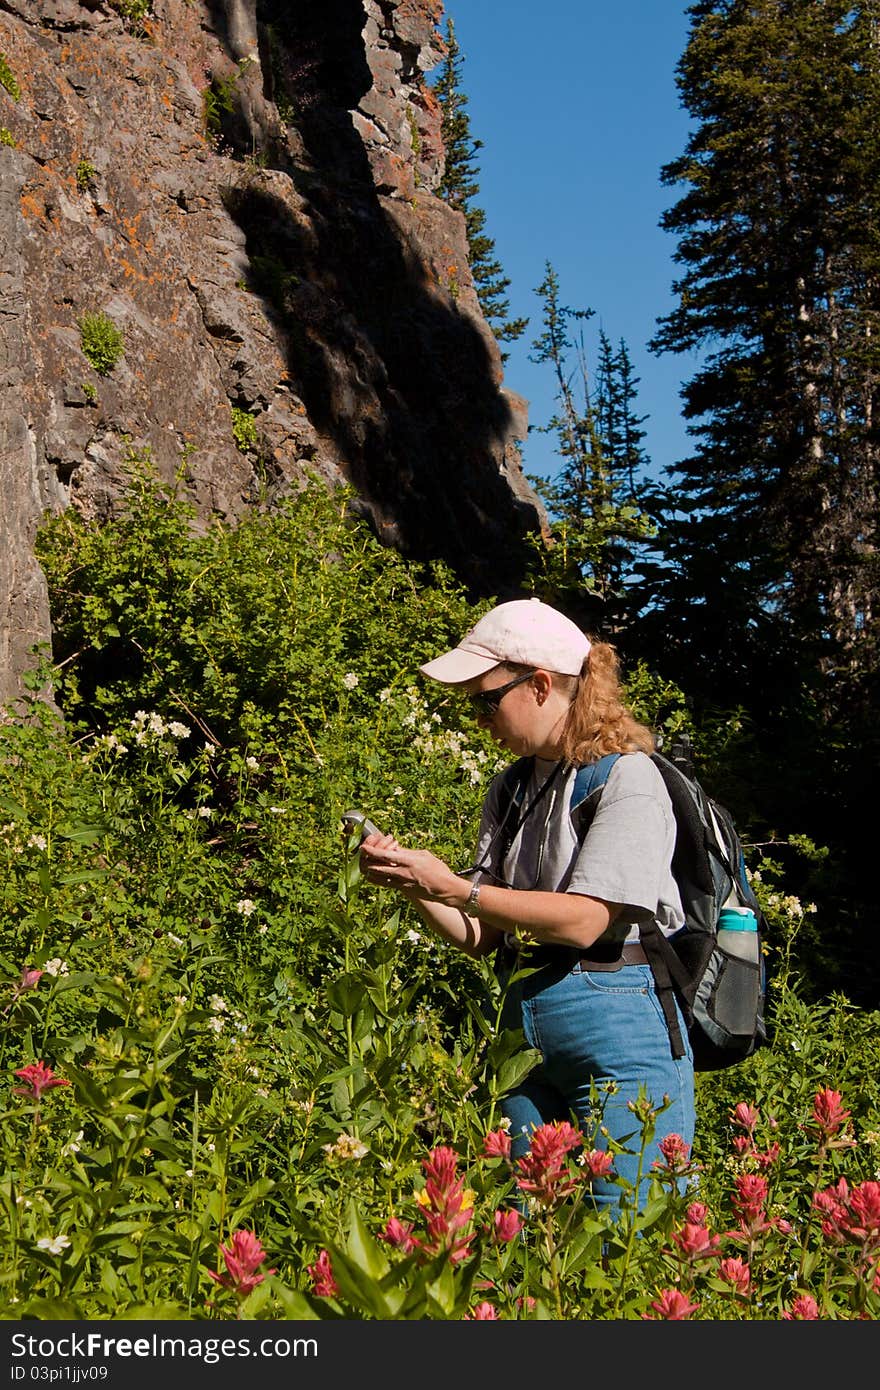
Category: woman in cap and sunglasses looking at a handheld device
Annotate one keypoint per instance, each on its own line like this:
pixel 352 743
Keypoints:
pixel 589 1001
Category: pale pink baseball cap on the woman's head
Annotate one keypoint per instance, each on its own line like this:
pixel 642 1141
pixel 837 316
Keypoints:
pixel 525 633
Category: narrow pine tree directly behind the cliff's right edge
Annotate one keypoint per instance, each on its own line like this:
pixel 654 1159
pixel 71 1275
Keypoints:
pixel 459 187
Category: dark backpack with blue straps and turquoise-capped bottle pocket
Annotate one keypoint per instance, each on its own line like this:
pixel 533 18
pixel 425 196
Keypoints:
pixel 722 997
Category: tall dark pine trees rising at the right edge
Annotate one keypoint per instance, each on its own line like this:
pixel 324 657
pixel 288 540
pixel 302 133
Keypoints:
pixel 779 241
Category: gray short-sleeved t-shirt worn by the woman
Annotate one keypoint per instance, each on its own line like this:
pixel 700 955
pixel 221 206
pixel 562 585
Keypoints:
pixel 626 856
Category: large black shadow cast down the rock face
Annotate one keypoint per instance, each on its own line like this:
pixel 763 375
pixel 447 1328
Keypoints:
pixel 397 380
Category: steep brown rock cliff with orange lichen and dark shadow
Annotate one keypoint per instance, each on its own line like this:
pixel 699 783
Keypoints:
pixel 245 191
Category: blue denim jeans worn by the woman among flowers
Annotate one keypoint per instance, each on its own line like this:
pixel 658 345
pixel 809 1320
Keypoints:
pixel 598 1028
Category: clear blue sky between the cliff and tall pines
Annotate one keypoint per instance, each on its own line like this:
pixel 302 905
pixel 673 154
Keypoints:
pixel 578 109
